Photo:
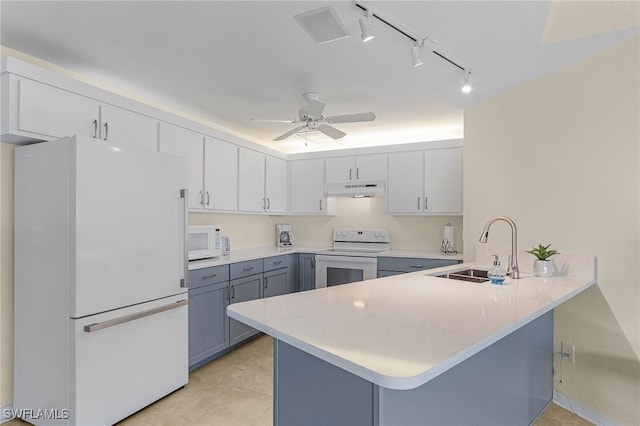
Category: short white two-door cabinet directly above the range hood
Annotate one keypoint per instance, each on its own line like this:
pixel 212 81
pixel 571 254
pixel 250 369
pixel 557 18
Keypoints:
pixel 362 168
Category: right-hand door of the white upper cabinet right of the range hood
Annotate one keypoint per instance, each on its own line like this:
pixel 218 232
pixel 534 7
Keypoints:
pixel 443 181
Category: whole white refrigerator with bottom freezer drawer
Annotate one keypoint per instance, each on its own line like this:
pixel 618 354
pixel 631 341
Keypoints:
pixel 100 281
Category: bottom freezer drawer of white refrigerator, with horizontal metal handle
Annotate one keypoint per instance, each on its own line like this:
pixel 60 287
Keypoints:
pixel 128 358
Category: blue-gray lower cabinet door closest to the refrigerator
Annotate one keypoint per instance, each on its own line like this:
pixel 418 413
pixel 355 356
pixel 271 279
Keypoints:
pixel 208 321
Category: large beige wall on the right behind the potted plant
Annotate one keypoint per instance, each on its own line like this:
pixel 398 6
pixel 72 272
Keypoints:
pixel 561 156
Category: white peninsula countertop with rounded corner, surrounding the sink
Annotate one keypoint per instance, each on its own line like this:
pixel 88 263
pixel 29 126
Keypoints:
pixel 400 332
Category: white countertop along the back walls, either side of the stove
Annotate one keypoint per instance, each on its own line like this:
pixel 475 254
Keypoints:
pixel 263 252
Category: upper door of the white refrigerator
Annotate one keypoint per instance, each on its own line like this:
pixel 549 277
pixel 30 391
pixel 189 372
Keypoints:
pixel 128 244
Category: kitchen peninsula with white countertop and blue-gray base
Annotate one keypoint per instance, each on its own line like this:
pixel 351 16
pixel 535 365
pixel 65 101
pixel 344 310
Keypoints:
pixel 416 348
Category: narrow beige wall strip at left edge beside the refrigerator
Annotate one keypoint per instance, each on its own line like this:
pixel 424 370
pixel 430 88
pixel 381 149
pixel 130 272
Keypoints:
pixel 6 274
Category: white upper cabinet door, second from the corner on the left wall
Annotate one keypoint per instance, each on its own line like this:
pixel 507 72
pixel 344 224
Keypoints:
pixel 251 189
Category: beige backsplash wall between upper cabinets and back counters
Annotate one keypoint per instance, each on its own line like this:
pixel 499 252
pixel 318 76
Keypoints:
pixel 407 232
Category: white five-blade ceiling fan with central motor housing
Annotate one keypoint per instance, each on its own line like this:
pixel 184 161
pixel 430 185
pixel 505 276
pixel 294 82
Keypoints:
pixel 311 118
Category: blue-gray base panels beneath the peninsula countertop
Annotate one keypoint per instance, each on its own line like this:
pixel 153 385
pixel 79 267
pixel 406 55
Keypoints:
pixel 508 383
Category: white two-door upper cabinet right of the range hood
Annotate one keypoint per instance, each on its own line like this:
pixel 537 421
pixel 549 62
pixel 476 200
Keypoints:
pixel 425 182
